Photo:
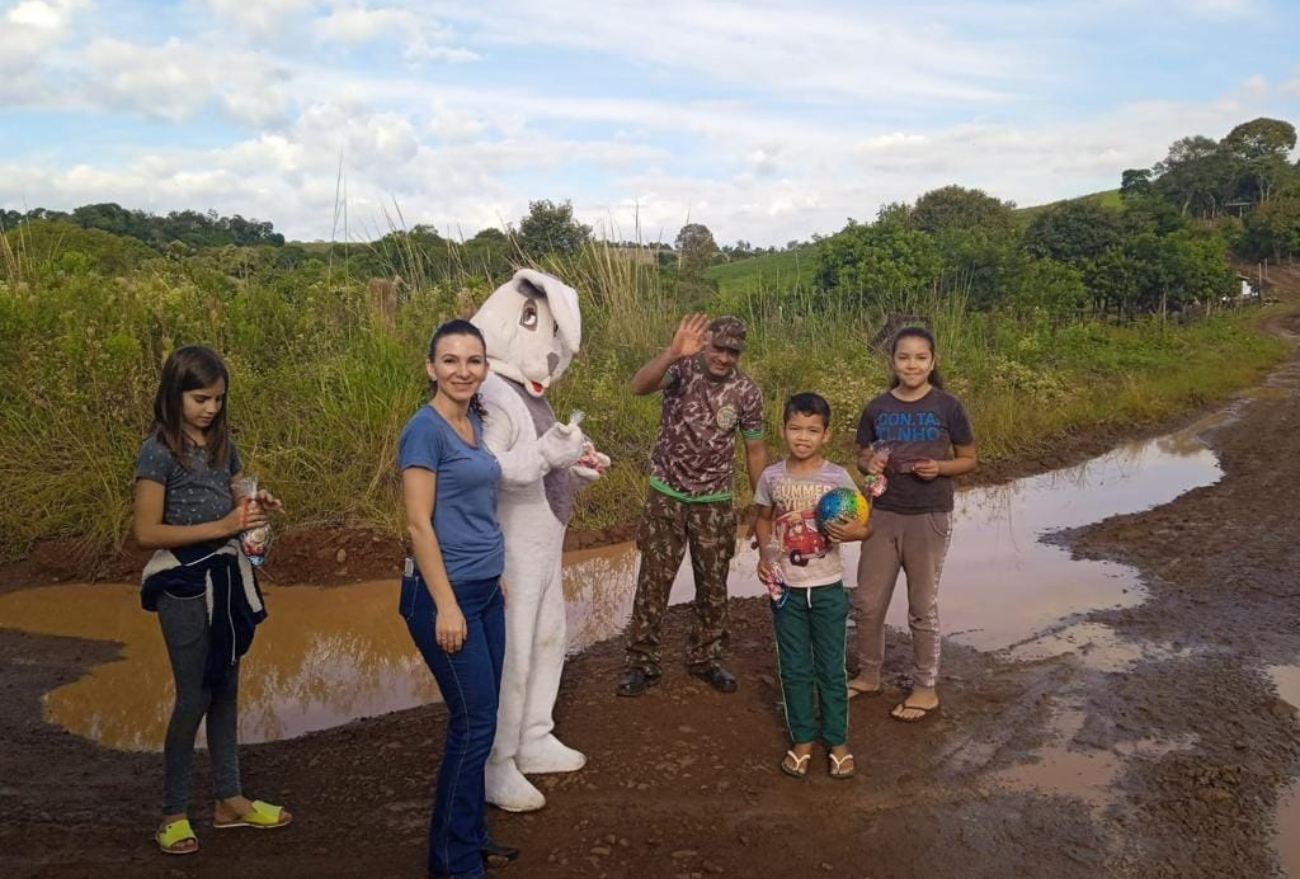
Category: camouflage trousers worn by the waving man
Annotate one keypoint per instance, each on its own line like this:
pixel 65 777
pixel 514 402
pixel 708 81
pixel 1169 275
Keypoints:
pixel 668 527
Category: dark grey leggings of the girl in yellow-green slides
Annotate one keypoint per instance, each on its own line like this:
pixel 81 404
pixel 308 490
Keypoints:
pixel 185 629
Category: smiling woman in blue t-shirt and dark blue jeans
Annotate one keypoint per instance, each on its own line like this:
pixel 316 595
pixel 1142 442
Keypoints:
pixel 453 597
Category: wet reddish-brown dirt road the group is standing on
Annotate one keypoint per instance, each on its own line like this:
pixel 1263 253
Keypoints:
pixel 1156 746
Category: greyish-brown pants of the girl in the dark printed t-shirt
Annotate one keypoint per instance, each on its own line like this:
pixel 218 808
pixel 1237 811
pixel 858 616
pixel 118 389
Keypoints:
pixel 917 545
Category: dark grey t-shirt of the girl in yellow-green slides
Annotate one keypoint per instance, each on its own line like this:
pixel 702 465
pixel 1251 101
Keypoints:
pixel 194 496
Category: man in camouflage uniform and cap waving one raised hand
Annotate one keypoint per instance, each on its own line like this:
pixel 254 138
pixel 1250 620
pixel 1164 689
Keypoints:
pixel 707 401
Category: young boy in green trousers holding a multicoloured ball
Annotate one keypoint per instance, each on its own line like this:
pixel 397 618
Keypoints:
pixel 812 617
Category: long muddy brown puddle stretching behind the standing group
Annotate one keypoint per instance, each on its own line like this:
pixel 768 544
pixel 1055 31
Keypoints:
pixel 330 656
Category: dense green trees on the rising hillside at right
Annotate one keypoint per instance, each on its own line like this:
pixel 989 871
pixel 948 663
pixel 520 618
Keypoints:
pixel 1164 246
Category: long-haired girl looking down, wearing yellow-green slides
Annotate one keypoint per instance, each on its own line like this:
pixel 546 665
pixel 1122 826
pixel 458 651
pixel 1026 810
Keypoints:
pixel 188 508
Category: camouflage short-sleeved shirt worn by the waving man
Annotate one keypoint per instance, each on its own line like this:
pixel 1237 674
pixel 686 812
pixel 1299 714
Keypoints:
pixel 695 457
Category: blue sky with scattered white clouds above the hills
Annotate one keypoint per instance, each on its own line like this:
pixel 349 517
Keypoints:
pixel 765 120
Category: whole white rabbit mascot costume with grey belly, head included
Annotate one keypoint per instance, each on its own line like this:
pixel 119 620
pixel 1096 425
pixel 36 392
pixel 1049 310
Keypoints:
pixel 534 328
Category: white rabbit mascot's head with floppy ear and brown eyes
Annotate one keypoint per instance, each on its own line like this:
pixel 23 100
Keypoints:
pixel 534 330
